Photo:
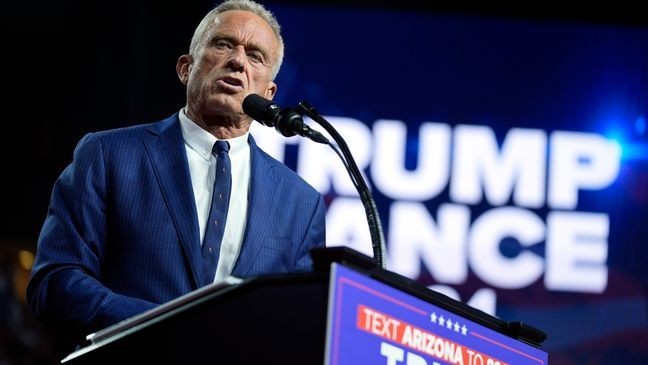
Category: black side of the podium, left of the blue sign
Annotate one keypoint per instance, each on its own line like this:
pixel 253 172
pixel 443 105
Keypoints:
pixel 266 320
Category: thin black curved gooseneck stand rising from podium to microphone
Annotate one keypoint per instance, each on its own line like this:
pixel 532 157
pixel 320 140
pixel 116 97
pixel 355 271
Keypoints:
pixel 375 227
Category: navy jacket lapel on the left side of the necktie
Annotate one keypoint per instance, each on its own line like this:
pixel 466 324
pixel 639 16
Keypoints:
pixel 165 146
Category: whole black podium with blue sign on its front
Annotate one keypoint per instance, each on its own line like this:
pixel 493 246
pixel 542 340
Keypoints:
pixel 347 311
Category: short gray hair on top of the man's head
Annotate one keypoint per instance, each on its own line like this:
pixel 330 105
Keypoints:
pixel 245 5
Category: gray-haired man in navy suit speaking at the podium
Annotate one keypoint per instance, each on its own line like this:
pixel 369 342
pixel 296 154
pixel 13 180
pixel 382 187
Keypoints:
pixel 127 217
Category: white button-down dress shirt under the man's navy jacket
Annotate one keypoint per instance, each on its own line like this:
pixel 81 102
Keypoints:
pixel 202 168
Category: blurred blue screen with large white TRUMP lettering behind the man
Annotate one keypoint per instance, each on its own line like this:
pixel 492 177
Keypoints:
pixel 508 158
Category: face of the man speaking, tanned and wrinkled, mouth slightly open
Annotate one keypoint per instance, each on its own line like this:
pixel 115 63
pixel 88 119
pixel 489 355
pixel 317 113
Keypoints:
pixel 233 59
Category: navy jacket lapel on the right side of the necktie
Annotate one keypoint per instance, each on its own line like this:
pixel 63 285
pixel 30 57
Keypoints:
pixel 262 200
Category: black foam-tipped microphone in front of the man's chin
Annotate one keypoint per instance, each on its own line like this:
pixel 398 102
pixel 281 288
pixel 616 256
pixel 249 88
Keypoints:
pixel 287 121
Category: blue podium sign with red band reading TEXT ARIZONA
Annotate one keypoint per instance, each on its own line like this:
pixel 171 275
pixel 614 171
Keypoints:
pixel 370 322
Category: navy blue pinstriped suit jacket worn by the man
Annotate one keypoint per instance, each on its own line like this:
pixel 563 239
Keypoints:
pixel 121 233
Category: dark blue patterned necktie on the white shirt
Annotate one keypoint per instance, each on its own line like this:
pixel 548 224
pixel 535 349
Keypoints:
pixel 218 211
